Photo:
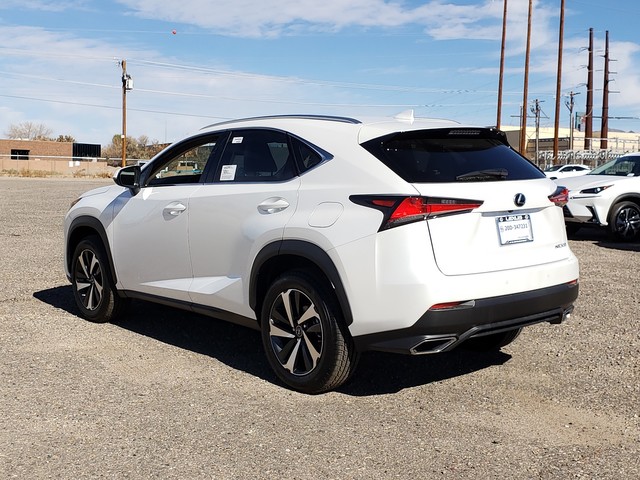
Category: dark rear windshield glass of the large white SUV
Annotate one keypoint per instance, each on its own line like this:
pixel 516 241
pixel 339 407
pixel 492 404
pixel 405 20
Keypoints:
pixel 446 155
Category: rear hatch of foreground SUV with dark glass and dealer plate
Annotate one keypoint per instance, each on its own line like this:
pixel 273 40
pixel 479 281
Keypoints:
pixel 517 224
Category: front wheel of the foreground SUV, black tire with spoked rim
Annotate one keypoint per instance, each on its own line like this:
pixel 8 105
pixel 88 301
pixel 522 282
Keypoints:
pixel 92 283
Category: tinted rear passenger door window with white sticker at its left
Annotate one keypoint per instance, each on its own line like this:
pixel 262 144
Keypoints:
pixel 256 156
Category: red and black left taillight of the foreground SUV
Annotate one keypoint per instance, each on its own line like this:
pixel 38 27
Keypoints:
pixel 402 210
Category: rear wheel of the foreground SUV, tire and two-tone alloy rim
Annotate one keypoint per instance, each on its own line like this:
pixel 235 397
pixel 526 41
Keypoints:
pixel 304 336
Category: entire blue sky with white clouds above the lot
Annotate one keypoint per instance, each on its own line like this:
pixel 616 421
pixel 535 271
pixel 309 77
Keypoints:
pixel 234 58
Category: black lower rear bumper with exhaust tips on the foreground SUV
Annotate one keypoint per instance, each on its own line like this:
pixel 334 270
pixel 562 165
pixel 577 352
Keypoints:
pixel 443 330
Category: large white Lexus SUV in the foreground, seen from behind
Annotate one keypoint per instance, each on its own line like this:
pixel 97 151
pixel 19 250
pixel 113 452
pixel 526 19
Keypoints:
pixel 333 236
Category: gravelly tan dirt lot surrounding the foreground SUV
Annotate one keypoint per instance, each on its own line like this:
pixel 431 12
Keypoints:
pixel 164 394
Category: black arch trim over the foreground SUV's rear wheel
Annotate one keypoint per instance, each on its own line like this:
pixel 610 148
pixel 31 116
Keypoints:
pixel 279 257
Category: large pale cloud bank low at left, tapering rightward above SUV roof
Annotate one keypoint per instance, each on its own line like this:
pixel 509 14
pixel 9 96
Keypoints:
pixel 73 85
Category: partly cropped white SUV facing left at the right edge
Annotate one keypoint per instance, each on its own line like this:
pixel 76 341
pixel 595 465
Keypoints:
pixel 608 197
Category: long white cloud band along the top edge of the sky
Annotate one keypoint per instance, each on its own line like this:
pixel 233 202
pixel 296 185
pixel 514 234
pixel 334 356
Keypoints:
pixel 270 18
